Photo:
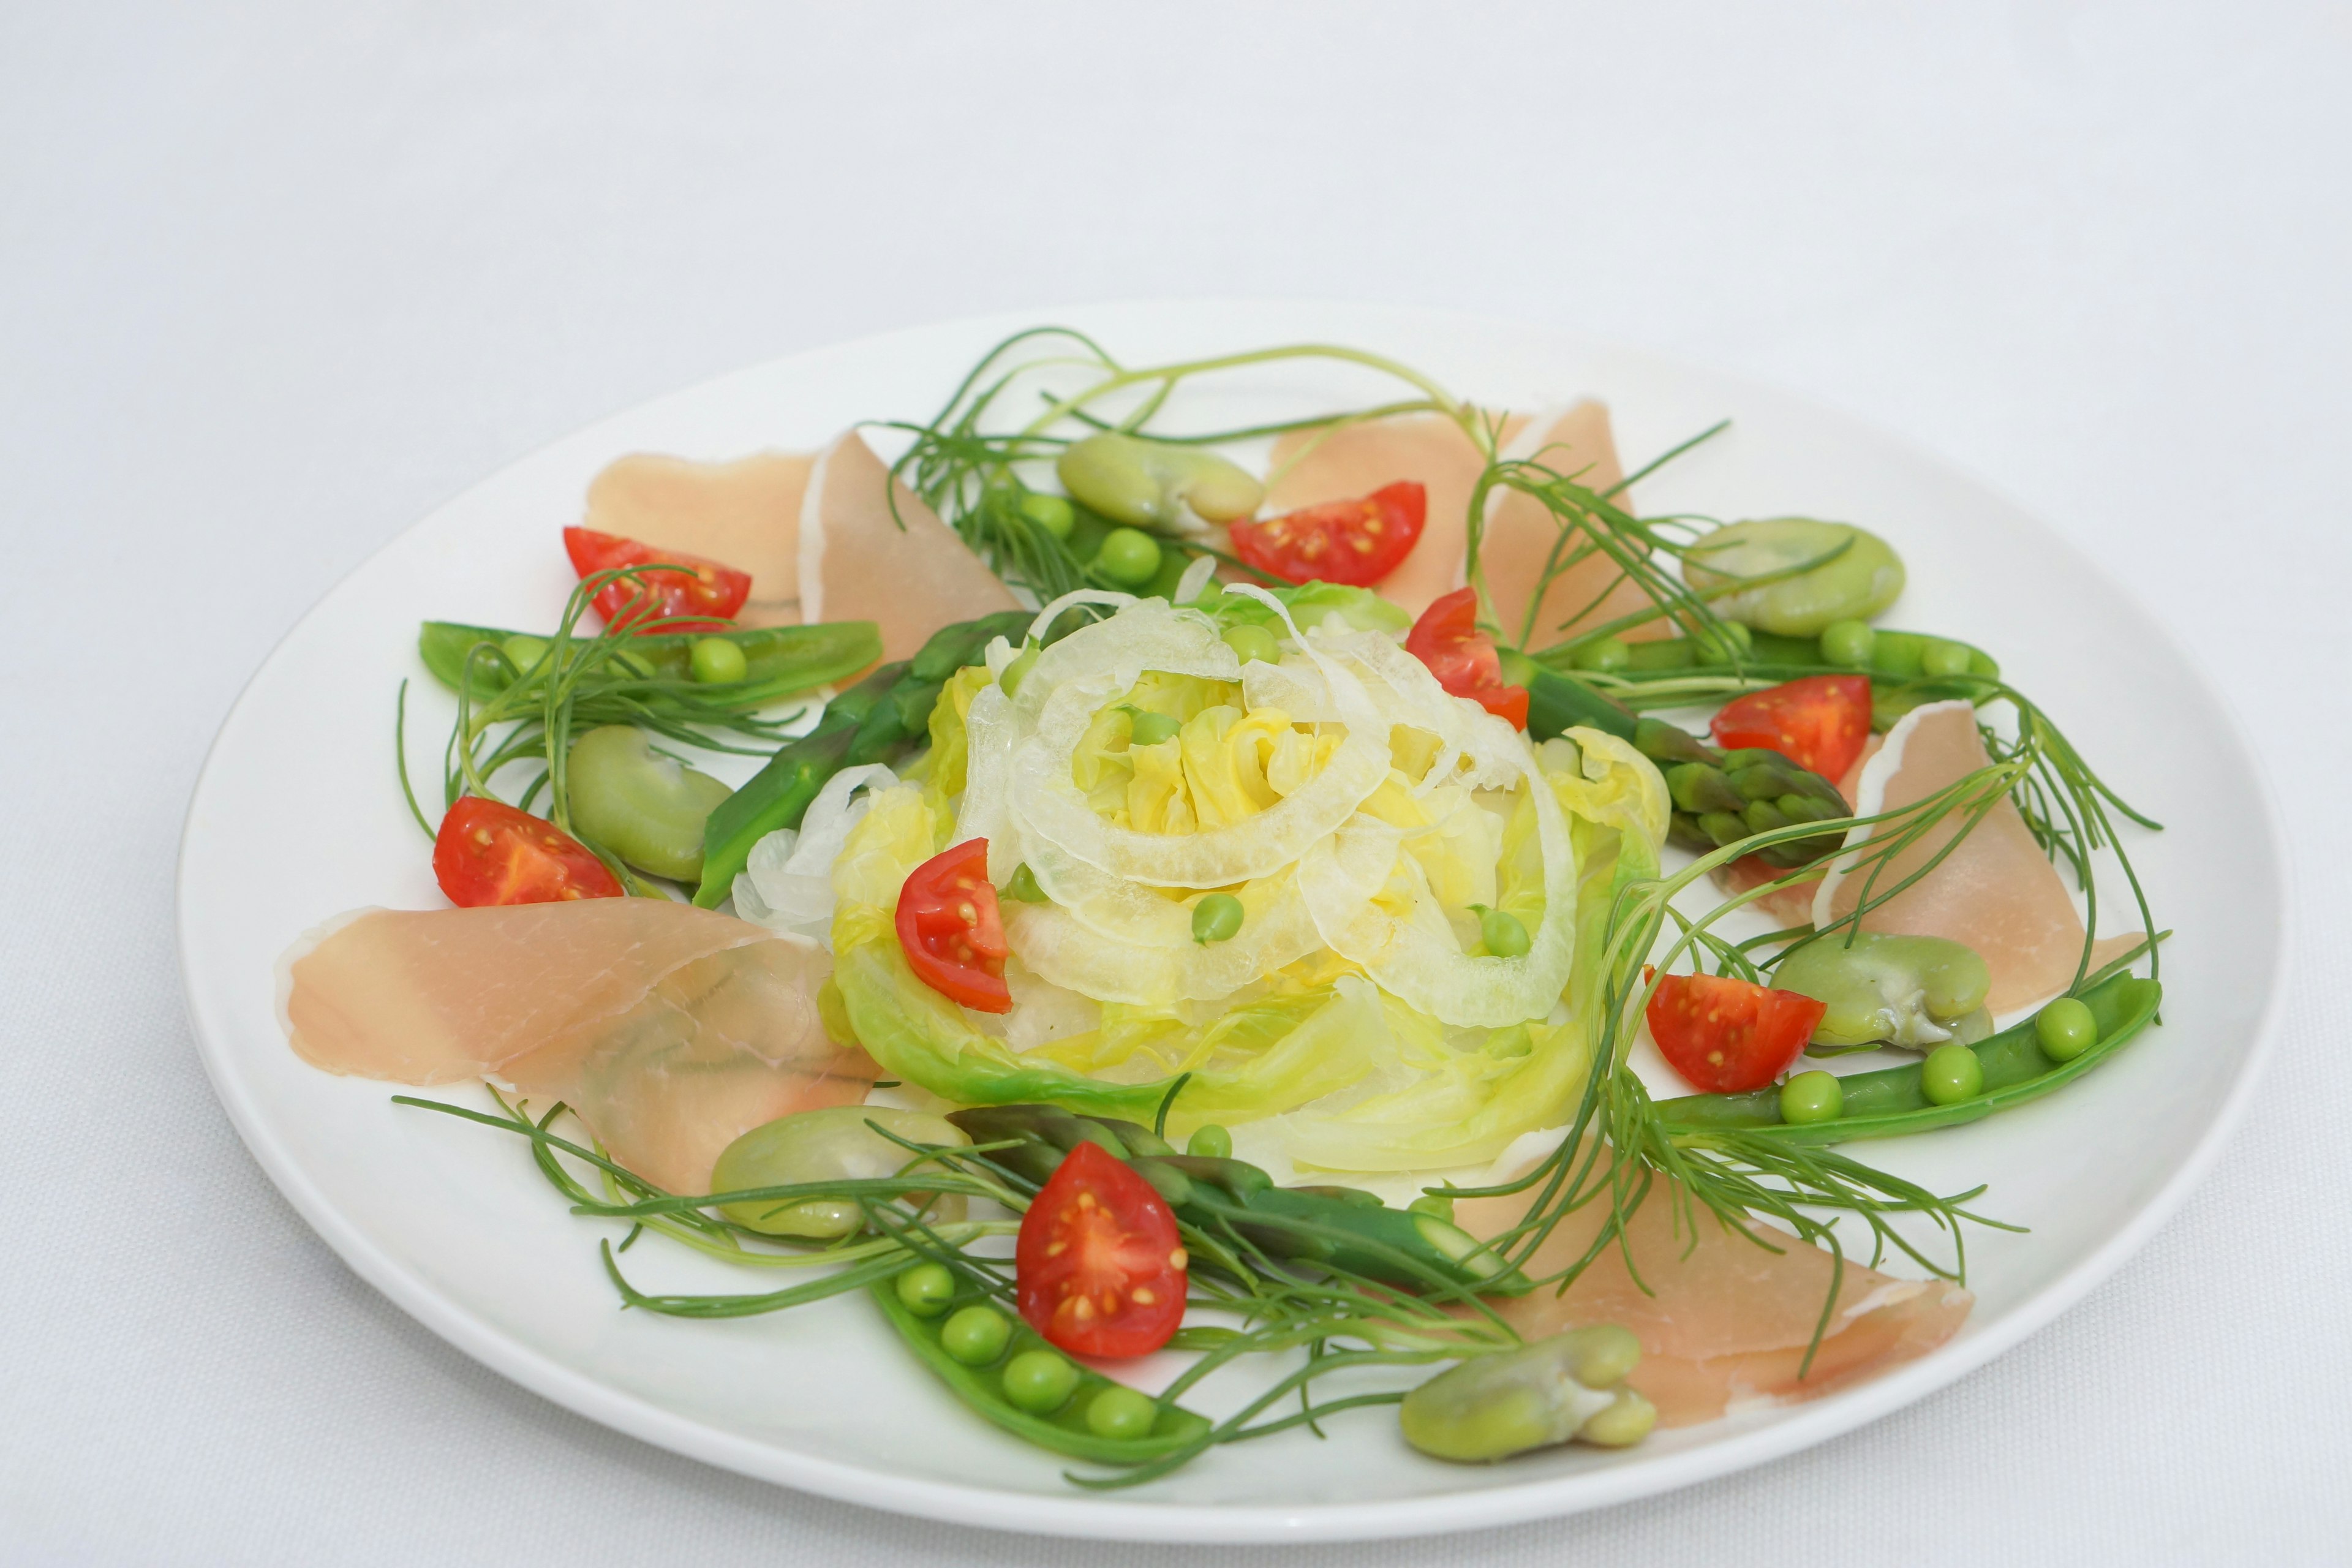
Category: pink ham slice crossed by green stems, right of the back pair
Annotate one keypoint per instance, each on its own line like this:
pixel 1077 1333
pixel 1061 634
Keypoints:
pixel 1523 532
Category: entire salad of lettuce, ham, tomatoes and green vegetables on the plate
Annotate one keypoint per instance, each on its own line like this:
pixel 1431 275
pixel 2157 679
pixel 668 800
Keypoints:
pixel 1236 899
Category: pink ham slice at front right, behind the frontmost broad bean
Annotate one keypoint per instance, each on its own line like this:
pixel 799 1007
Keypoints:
pixel 1725 1325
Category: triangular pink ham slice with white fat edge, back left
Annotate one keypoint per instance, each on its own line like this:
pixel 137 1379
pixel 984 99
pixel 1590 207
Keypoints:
pixel 904 570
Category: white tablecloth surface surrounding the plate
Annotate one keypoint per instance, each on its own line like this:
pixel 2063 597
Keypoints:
pixel 276 286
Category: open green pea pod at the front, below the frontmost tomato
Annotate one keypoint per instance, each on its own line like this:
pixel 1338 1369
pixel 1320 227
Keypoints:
pixel 1034 1391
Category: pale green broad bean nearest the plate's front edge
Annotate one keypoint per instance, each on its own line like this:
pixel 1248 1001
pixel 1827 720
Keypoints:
pixel 1532 1398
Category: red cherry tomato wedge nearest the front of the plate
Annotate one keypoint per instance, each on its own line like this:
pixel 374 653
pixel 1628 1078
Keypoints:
pixel 1100 1266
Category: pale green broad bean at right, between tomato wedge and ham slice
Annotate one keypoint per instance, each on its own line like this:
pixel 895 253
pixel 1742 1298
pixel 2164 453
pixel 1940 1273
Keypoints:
pixel 1909 991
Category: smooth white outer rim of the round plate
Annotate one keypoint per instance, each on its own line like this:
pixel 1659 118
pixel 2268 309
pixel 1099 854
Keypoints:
pixel 1090 1517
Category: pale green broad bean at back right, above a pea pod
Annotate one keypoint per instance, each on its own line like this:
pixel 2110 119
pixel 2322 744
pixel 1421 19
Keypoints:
pixel 1859 575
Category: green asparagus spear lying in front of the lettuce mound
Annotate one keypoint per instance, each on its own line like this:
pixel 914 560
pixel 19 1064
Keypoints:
pixel 1339 1228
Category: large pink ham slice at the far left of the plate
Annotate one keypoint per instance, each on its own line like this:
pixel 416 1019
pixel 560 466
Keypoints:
pixel 671 1031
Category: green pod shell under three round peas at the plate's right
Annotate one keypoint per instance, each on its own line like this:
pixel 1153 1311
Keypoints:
pixel 1895 1101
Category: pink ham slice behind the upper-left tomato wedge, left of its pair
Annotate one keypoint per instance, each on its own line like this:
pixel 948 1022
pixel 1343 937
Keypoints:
pixel 742 516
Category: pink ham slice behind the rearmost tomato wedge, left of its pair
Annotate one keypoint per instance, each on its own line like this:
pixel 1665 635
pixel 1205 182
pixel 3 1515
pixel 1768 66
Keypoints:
pixel 1358 460
